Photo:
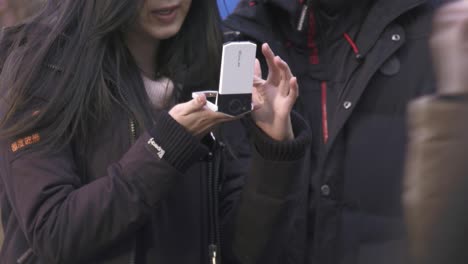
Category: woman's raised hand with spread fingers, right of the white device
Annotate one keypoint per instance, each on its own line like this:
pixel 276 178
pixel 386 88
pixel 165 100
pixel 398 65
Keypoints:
pixel 274 98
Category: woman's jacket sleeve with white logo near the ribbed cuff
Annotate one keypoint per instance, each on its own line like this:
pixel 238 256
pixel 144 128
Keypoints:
pixel 68 221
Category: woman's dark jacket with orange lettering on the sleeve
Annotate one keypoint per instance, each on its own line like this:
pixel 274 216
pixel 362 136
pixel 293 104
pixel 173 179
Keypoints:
pixel 156 196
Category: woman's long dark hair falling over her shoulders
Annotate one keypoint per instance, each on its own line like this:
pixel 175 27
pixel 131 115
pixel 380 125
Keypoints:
pixel 67 68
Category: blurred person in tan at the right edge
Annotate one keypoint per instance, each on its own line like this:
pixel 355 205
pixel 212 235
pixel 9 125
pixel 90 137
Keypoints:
pixel 436 183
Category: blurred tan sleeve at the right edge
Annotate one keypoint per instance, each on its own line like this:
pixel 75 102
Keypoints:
pixel 436 165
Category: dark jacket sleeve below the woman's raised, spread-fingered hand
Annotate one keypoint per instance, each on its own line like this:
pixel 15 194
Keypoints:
pixel 260 211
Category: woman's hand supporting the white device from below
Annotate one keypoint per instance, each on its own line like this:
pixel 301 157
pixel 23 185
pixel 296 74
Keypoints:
pixel 196 118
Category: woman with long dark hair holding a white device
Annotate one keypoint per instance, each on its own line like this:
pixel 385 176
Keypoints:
pixel 99 165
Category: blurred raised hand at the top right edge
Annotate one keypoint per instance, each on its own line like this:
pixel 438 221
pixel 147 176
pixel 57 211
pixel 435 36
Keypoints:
pixel 449 44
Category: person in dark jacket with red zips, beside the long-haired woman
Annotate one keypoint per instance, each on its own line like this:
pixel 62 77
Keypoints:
pixel 358 64
